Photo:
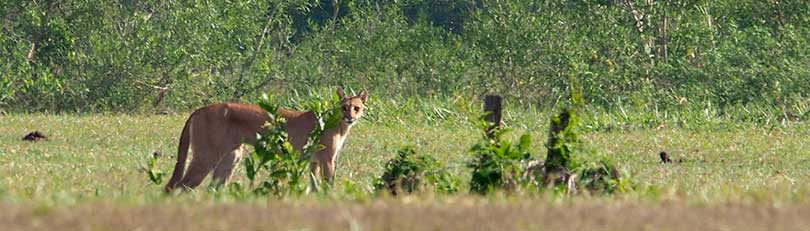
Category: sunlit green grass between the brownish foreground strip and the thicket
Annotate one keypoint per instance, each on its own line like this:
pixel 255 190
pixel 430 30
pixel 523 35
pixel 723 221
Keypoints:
pixel 97 157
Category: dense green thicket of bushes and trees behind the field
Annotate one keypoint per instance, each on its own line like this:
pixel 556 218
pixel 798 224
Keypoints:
pixel 89 56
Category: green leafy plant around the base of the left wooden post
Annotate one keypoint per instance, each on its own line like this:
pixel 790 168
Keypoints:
pixel 497 164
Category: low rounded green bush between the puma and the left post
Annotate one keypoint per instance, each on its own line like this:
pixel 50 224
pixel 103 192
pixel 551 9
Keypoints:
pixel 409 172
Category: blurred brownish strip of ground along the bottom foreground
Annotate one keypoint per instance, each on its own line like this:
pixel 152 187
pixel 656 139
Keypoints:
pixel 398 215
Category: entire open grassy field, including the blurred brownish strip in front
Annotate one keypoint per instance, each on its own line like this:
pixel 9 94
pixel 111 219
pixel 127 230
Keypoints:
pixel 87 177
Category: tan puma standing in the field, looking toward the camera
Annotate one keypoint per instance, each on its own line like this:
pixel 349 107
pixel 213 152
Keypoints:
pixel 216 133
